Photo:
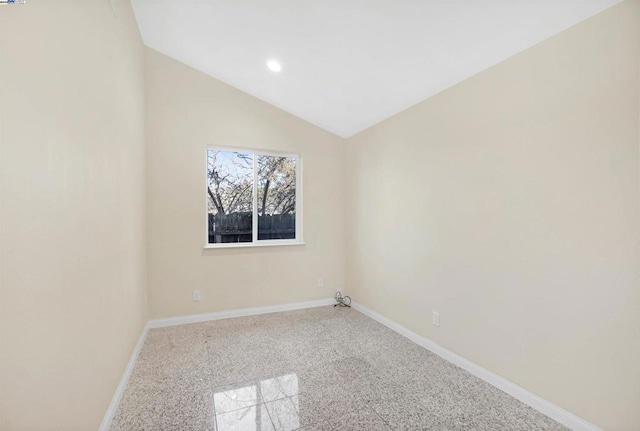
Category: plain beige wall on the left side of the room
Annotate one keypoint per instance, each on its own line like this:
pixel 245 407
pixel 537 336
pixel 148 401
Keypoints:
pixel 72 275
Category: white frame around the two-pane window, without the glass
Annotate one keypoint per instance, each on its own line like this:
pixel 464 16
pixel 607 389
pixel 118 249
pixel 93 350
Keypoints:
pixel 254 240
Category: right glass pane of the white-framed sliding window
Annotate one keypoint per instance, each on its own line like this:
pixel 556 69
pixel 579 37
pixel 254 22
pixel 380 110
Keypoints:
pixel 276 197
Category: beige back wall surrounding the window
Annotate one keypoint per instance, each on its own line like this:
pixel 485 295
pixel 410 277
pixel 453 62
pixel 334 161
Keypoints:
pixel 188 110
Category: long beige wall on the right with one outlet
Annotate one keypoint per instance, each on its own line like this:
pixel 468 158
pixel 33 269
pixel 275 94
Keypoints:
pixel 509 203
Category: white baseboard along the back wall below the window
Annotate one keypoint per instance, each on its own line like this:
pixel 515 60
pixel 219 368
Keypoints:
pixel 196 318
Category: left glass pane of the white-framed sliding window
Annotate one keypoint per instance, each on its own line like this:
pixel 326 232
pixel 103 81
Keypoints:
pixel 230 196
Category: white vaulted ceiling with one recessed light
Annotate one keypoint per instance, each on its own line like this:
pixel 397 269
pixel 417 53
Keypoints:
pixel 348 64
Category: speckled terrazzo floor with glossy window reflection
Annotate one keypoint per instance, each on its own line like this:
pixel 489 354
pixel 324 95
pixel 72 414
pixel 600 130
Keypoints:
pixel 321 369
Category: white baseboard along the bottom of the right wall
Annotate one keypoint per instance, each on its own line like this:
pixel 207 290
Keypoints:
pixel 556 413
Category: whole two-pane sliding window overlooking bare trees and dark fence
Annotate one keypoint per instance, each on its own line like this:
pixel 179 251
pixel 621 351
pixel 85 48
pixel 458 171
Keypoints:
pixel 253 198
